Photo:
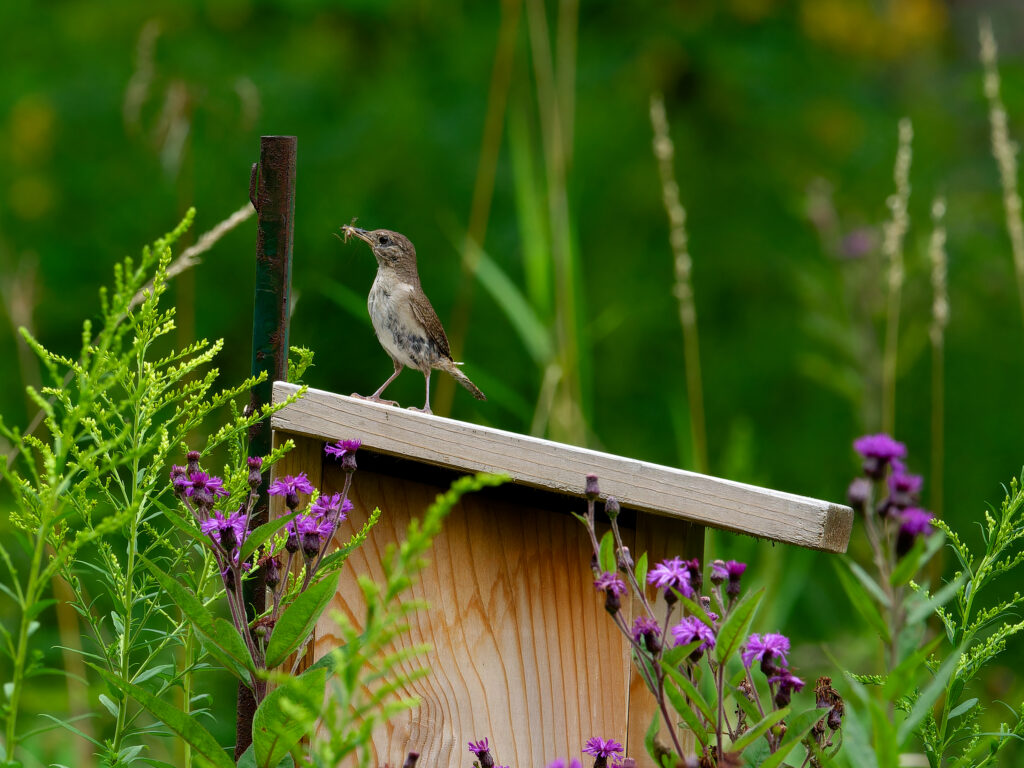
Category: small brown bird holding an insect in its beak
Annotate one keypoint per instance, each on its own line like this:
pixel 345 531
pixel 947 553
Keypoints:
pixel 406 324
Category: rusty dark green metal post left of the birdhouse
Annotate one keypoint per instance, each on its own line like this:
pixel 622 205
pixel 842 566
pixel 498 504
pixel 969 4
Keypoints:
pixel 272 190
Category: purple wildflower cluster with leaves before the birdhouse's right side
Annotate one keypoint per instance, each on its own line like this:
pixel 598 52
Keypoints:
pixel 689 635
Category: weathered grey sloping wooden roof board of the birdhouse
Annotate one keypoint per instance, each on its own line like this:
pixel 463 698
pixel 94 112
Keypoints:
pixel 641 486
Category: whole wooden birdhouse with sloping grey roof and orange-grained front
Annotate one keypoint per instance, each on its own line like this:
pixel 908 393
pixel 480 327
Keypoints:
pixel 524 652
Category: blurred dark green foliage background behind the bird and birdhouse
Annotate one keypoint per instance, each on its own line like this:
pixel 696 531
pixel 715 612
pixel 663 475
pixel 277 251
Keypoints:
pixel 524 127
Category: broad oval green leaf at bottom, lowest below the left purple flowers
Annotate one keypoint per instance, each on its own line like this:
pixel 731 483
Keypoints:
pixel 279 728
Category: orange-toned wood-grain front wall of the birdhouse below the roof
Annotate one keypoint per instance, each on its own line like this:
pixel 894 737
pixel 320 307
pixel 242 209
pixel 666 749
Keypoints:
pixel 524 653
